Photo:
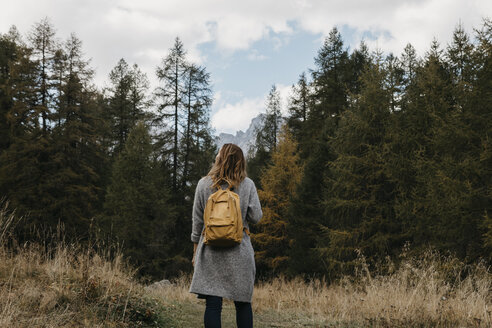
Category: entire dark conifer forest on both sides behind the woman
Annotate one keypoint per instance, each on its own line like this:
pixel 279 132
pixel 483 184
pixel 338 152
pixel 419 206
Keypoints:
pixel 379 153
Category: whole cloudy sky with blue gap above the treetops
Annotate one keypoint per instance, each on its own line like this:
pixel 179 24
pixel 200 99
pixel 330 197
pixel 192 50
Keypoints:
pixel 246 46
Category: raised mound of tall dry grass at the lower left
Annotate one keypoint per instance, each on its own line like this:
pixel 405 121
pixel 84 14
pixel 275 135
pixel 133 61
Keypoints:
pixel 68 286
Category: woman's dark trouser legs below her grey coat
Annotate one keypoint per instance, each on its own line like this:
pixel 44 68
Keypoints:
pixel 213 310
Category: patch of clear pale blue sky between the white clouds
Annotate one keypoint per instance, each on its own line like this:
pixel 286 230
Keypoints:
pixel 278 58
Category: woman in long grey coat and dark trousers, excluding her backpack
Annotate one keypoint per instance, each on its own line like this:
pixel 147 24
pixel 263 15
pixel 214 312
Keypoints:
pixel 225 272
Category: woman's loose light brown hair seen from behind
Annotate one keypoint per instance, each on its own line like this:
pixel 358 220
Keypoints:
pixel 229 166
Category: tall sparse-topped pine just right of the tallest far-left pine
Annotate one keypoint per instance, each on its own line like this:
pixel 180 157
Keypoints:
pixel 76 159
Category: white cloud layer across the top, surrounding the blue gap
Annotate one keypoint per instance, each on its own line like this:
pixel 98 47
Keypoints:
pixel 144 30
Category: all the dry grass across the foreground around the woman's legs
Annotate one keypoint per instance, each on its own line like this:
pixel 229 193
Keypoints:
pixel 71 286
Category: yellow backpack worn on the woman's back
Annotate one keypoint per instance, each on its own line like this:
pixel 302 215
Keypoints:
pixel 222 219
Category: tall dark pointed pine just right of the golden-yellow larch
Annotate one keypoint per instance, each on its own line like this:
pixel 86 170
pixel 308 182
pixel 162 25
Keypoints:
pixel 330 94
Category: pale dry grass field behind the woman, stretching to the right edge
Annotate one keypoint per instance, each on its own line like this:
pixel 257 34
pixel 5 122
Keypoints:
pixel 429 291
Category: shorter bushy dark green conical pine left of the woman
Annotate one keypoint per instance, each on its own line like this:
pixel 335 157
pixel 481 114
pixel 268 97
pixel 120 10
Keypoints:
pixel 137 206
